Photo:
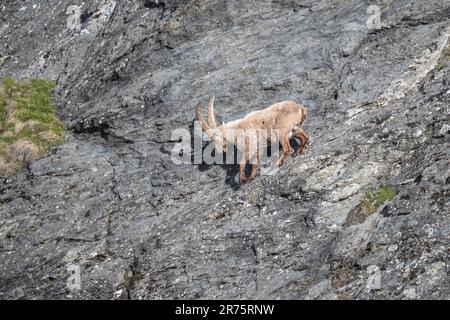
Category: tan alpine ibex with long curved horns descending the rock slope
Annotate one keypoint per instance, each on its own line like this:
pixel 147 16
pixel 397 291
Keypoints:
pixel 279 121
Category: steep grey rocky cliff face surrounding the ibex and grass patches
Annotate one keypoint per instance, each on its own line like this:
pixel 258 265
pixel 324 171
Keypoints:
pixel 109 215
